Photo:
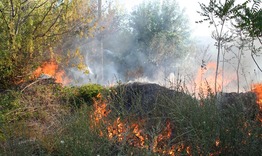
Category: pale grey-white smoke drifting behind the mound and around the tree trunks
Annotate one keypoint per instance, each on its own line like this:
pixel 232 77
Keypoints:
pixel 110 67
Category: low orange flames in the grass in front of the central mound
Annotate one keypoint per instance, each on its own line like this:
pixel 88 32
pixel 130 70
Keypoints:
pixel 133 133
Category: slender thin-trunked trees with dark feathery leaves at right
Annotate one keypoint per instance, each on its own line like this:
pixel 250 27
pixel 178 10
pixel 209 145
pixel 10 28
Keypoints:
pixel 243 20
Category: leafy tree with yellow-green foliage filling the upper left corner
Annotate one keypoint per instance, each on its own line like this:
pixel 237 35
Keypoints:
pixel 31 30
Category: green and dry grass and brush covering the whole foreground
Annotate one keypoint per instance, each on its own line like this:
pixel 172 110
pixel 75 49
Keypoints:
pixel 55 120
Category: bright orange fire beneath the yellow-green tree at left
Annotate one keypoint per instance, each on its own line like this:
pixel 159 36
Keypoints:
pixel 51 68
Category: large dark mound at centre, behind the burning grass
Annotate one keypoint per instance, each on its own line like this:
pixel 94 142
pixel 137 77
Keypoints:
pixel 145 99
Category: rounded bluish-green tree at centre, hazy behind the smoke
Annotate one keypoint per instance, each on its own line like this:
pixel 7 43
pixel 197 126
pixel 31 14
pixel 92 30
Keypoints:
pixel 160 31
